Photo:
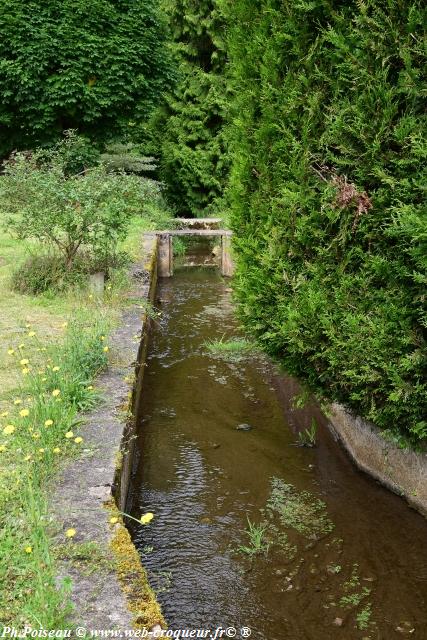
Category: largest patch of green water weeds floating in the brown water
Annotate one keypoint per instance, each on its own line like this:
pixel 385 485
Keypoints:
pixel 299 510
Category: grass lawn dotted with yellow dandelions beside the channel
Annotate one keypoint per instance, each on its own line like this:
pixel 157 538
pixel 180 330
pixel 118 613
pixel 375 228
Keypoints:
pixel 51 349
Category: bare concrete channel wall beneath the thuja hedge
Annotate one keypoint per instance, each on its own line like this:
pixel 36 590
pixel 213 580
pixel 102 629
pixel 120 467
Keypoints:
pixel 401 470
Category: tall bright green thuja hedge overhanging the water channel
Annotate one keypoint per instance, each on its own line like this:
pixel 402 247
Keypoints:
pixel 328 209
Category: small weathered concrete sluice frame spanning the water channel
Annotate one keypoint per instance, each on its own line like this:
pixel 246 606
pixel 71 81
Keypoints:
pixel 194 227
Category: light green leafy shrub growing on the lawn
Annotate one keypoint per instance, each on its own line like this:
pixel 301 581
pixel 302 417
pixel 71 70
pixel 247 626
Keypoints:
pixel 87 212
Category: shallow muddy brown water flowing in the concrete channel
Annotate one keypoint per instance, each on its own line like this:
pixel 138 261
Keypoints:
pixel 346 558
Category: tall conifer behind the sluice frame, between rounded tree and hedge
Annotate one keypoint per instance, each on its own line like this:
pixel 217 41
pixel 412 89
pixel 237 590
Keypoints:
pixel 190 125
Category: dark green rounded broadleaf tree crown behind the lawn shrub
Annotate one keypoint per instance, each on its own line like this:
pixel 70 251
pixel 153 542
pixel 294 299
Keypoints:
pixel 94 66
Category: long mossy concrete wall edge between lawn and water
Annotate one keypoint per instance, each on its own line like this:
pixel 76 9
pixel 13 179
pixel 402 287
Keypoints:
pixel 91 491
